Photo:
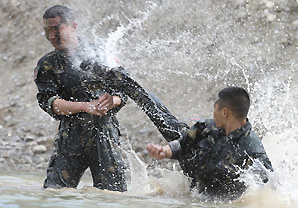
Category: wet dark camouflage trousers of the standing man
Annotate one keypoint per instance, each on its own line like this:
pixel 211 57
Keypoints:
pixel 80 146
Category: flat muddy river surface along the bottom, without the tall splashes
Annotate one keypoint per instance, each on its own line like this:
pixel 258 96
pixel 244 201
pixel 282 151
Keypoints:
pixel 25 190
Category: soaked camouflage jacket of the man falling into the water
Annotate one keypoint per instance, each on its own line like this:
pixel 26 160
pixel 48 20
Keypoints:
pixel 214 160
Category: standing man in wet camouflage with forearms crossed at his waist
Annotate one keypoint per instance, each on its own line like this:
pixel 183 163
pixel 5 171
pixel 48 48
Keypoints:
pixel 88 134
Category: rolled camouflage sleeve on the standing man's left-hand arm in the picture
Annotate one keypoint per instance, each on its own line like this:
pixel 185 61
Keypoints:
pixel 47 88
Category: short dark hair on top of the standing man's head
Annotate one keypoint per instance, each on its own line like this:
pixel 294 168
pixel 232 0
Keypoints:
pixel 61 11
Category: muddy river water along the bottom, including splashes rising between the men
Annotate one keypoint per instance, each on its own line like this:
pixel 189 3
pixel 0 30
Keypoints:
pixel 170 189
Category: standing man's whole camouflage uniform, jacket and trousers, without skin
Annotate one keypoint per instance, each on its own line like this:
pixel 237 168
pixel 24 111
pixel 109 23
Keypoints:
pixel 83 140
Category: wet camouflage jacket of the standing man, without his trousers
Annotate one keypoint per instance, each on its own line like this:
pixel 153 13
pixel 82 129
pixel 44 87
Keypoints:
pixel 59 76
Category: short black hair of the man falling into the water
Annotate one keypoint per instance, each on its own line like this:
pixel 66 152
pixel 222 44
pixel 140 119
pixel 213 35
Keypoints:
pixel 236 99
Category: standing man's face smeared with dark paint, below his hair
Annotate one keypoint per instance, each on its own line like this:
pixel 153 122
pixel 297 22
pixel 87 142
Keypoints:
pixel 59 34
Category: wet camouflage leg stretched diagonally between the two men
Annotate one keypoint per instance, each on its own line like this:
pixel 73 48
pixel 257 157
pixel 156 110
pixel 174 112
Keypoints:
pixel 97 76
